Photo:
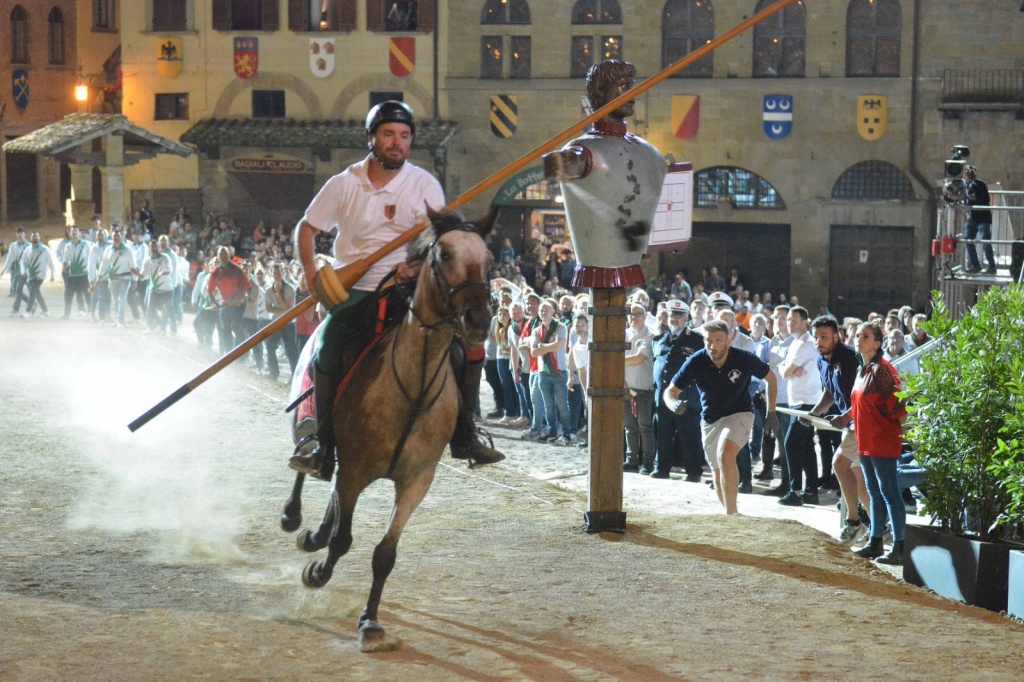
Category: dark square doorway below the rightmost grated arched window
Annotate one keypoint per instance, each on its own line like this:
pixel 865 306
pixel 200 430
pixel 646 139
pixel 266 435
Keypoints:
pixel 871 269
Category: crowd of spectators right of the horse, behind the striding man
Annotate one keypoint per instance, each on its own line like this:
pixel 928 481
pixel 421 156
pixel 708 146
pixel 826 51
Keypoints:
pixel 537 358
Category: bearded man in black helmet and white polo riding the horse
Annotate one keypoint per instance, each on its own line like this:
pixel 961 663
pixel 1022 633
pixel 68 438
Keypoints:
pixel 371 203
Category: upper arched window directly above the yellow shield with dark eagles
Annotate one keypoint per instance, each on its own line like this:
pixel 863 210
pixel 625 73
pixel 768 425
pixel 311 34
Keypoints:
pixel 873 36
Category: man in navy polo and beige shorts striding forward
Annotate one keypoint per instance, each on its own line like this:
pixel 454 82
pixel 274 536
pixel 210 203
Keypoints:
pixel 723 376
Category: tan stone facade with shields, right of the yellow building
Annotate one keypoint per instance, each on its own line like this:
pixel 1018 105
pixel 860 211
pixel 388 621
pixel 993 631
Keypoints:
pixel 841 219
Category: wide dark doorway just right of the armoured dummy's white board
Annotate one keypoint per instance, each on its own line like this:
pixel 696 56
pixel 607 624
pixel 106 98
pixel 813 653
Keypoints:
pixel 761 251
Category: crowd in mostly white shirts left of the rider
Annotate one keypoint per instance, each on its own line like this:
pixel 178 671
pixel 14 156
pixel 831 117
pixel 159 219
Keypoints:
pixel 151 273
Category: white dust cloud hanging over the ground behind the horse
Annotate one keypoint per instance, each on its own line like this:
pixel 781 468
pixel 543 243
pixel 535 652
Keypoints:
pixel 162 481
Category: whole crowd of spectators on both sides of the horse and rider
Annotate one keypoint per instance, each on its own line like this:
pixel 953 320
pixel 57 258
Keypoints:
pixel 235 283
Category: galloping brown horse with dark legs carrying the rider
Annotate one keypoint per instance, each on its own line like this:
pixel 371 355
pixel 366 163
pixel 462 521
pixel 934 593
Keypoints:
pixel 398 412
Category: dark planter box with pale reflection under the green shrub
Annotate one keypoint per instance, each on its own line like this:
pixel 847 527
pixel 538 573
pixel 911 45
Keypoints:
pixel 958 568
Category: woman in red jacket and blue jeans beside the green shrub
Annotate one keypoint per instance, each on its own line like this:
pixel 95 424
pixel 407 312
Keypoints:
pixel 878 418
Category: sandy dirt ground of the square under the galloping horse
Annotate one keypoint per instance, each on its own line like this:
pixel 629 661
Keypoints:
pixel 158 556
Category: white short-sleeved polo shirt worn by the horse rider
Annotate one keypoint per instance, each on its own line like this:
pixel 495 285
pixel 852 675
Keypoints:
pixel 368 219
